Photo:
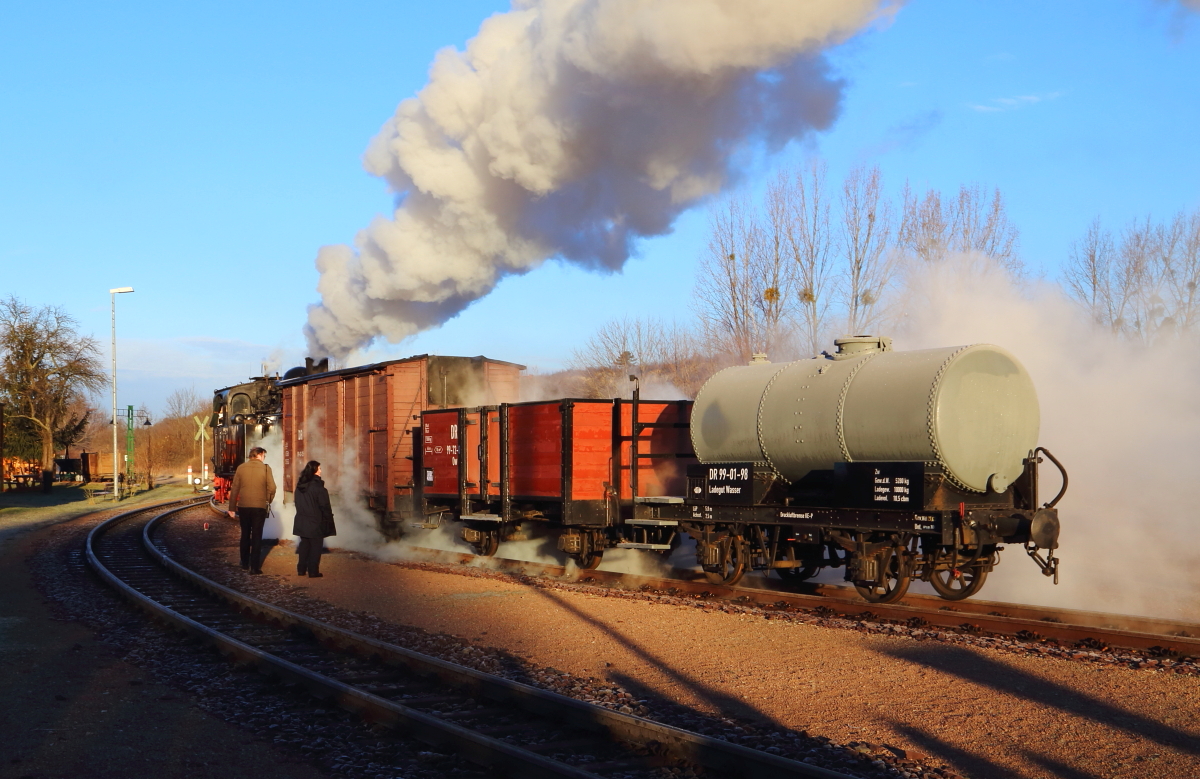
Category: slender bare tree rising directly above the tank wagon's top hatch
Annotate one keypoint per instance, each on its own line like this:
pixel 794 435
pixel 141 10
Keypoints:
pixel 866 242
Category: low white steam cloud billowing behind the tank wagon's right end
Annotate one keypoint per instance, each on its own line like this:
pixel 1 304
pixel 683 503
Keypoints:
pixel 1121 417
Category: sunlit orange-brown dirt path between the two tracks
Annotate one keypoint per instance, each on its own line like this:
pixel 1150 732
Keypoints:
pixel 987 714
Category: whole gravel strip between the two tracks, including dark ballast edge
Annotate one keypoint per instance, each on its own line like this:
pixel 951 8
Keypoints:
pixel 854 696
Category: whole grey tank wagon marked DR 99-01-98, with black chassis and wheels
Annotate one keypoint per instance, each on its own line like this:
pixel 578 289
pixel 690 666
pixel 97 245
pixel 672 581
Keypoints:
pixel 893 465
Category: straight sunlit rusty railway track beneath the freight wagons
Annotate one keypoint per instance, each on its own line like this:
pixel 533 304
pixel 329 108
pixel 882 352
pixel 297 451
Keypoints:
pixel 1084 628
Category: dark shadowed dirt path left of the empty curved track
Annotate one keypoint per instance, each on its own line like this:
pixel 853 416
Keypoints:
pixel 70 708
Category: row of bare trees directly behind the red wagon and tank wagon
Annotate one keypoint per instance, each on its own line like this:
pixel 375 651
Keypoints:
pixel 784 275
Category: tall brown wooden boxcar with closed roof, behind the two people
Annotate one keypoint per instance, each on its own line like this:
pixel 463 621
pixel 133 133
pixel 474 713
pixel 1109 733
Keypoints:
pixel 359 422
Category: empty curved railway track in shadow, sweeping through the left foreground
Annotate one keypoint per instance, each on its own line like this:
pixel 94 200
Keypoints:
pixel 496 723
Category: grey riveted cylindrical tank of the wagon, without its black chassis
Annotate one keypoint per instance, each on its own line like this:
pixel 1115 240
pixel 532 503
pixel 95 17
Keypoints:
pixel 973 411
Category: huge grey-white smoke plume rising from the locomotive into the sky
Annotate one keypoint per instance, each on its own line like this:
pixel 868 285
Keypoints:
pixel 569 129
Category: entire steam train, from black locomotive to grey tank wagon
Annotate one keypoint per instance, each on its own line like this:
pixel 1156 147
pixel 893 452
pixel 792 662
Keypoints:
pixel 895 466
